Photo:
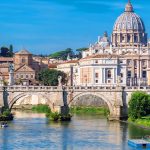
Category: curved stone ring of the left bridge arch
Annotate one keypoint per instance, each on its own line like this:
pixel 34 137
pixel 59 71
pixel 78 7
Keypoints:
pixel 24 95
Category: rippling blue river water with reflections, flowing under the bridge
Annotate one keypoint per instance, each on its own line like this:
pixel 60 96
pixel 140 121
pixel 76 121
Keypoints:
pixel 32 131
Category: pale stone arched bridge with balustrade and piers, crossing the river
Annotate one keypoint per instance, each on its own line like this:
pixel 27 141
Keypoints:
pixel 59 98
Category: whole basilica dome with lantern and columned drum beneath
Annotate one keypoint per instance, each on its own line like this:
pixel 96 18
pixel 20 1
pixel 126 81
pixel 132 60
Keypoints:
pixel 129 29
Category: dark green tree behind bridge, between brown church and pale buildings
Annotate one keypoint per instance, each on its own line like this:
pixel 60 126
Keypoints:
pixel 49 77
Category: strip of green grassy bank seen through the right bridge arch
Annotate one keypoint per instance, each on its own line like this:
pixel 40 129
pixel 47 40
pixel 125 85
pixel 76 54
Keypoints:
pixel 89 110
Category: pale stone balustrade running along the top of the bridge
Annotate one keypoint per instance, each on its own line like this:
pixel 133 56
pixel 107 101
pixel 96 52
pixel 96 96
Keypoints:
pixel 73 88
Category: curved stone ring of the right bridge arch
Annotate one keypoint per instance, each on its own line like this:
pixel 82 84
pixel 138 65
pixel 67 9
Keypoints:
pixel 101 96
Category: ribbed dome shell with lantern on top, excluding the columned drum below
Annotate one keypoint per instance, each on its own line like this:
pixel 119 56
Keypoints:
pixel 129 21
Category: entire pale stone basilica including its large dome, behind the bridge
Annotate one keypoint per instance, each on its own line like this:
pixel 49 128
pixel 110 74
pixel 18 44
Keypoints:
pixel 123 59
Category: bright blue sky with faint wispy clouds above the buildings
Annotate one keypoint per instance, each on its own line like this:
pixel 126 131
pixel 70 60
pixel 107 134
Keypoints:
pixel 46 26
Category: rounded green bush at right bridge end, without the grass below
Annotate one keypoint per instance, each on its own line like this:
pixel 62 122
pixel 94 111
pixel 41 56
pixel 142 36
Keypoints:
pixel 139 105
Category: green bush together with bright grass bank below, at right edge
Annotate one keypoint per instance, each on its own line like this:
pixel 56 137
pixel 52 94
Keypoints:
pixel 139 109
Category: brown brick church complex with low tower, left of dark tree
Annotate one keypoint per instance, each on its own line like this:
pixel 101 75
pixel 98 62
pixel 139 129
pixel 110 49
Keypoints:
pixel 26 68
